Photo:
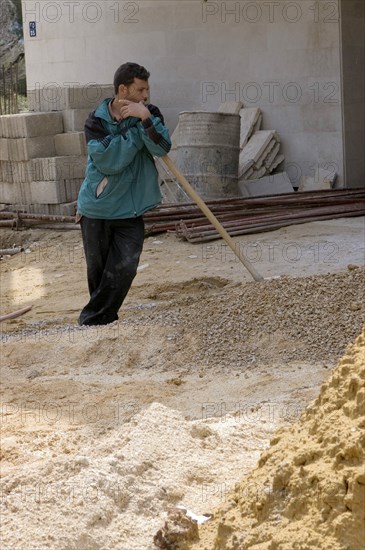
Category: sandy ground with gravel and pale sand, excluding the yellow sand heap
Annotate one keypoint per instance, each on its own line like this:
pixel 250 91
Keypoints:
pixel 105 428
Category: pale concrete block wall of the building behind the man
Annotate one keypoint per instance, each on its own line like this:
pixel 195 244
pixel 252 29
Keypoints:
pixel 282 56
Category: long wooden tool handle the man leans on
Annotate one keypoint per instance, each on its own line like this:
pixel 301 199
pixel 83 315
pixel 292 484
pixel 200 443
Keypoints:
pixel 211 217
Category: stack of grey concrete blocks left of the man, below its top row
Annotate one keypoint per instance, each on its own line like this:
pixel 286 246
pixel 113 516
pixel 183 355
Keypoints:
pixel 40 173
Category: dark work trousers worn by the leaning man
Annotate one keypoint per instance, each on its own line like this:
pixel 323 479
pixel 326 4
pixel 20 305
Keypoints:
pixel 112 251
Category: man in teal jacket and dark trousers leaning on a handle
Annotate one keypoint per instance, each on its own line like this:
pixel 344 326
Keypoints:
pixel 121 183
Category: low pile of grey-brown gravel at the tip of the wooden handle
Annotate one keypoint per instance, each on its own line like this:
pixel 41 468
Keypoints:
pixel 307 319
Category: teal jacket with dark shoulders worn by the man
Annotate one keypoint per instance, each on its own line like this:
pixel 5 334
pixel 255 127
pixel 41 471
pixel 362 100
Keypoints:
pixel 121 178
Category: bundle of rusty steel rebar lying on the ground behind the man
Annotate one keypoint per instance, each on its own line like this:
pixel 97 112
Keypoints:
pixel 238 216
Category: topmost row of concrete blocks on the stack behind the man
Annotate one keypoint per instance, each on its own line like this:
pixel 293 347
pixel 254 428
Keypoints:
pixel 62 98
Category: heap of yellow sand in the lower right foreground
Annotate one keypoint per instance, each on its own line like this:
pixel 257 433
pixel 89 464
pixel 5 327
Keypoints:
pixel 308 491
